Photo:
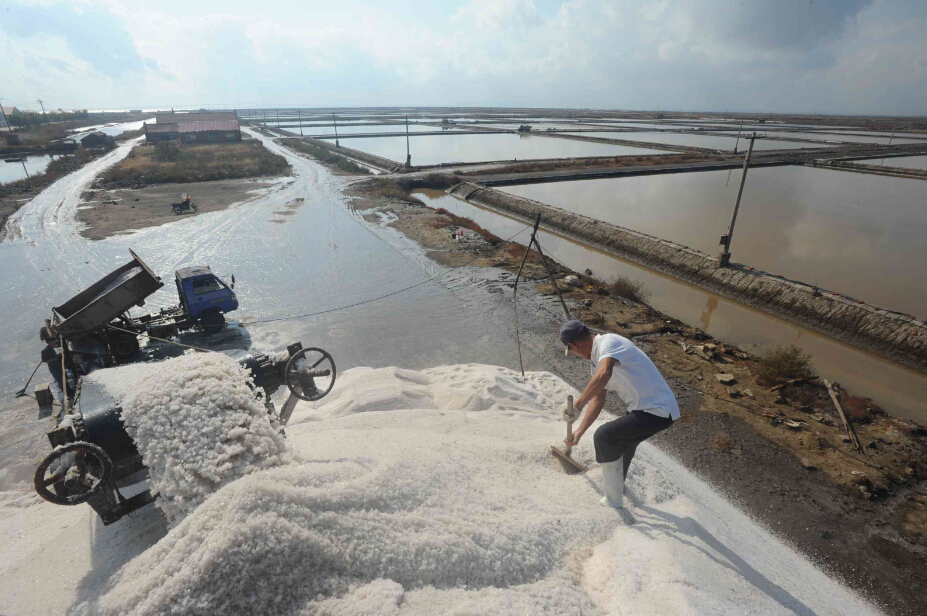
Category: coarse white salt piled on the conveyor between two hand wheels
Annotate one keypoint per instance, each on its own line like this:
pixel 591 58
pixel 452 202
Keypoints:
pixel 198 426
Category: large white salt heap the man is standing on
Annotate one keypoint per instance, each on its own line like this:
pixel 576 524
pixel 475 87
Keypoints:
pixel 434 492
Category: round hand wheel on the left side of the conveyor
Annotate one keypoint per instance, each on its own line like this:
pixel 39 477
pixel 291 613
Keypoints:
pixel 86 470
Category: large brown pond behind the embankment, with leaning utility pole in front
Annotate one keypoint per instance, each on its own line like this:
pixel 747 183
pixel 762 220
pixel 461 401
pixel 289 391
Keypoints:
pixel 855 233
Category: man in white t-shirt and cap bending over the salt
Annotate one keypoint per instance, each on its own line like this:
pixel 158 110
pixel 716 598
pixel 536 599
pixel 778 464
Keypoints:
pixel 618 364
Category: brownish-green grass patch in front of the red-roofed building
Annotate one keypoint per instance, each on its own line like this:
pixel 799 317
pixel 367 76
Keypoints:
pixel 170 162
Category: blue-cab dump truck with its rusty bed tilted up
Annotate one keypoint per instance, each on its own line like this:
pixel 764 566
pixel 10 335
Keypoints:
pixel 98 330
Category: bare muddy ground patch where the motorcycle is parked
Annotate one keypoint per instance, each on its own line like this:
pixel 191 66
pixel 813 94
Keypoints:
pixel 111 212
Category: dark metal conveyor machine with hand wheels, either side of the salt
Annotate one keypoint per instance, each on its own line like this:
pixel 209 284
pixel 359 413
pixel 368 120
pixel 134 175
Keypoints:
pixel 94 456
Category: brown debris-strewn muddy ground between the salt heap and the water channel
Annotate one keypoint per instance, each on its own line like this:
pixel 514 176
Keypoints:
pixel 782 455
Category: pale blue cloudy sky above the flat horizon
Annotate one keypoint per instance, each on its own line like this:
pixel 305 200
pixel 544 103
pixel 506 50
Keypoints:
pixel 781 56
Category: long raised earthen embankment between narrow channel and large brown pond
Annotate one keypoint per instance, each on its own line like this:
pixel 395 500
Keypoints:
pixel 899 337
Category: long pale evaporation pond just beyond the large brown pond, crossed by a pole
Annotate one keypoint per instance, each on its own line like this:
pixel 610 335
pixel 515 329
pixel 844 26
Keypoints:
pixel 437 149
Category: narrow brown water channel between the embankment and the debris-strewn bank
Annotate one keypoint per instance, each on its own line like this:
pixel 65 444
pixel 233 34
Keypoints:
pixel 894 387
